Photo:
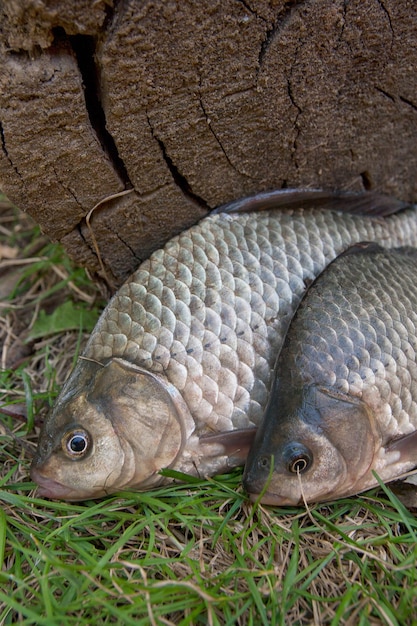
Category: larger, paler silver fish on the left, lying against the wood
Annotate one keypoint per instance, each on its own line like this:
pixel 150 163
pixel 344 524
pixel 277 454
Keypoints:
pixel 176 374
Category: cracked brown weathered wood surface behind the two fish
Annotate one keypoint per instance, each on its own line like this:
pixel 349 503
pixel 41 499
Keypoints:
pixel 191 104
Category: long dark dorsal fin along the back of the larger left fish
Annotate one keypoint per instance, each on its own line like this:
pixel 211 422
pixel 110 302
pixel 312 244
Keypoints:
pixel 362 203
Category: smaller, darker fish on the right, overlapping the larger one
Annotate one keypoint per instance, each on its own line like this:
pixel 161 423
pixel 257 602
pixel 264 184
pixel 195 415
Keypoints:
pixel 343 405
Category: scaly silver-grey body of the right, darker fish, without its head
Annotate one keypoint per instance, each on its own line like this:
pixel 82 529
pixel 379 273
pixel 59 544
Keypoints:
pixel 356 332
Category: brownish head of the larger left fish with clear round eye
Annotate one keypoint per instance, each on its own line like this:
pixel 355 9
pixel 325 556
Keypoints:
pixel 113 427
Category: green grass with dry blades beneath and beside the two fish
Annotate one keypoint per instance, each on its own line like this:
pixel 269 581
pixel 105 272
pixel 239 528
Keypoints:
pixel 190 553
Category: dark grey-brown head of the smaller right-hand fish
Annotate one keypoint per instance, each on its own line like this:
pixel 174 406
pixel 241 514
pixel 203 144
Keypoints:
pixel 315 446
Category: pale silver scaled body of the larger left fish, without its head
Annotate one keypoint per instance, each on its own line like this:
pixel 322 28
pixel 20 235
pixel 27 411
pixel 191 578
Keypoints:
pixel 211 308
